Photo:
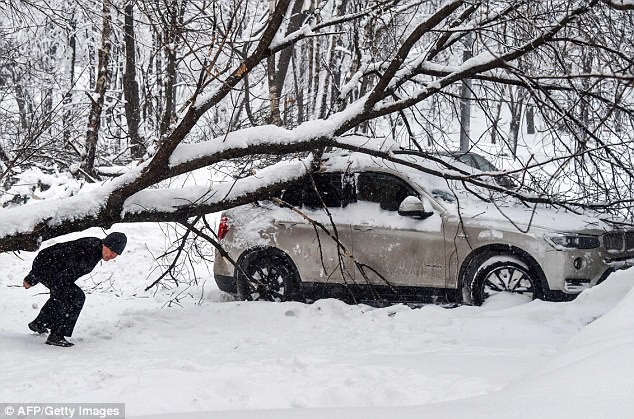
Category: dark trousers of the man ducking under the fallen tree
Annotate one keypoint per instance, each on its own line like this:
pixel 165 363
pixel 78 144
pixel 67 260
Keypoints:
pixel 61 311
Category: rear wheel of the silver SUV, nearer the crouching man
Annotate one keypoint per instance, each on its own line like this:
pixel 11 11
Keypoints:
pixel 267 275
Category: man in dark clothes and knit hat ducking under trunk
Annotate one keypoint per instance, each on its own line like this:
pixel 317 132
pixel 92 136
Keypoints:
pixel 57 268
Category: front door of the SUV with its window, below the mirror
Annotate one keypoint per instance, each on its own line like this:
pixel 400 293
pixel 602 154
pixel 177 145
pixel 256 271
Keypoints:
pixel 399 250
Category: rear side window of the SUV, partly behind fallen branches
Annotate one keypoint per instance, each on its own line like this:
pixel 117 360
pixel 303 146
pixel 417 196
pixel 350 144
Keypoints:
pixel 335 190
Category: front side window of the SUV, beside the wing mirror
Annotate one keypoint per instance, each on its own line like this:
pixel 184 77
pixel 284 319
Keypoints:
pixel 387 190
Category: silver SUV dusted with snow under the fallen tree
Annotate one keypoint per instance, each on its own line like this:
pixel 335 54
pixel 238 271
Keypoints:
pixel 364 229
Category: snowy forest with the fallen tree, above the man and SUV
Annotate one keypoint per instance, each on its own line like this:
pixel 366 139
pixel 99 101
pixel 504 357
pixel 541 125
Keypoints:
pixel 144 91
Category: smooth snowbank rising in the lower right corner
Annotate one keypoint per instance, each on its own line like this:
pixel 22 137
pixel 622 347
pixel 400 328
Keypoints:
pixel 592 376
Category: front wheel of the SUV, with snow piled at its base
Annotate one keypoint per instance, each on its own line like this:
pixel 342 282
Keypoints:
pixel 503 274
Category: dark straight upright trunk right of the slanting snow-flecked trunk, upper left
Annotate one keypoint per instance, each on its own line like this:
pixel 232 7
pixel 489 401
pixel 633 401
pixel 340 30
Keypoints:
pixel 130 85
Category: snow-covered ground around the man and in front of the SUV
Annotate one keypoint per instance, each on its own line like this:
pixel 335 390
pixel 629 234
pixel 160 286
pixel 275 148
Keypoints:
pixel 220 358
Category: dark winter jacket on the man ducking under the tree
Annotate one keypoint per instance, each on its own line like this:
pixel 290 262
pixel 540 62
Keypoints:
pixel 64 263
